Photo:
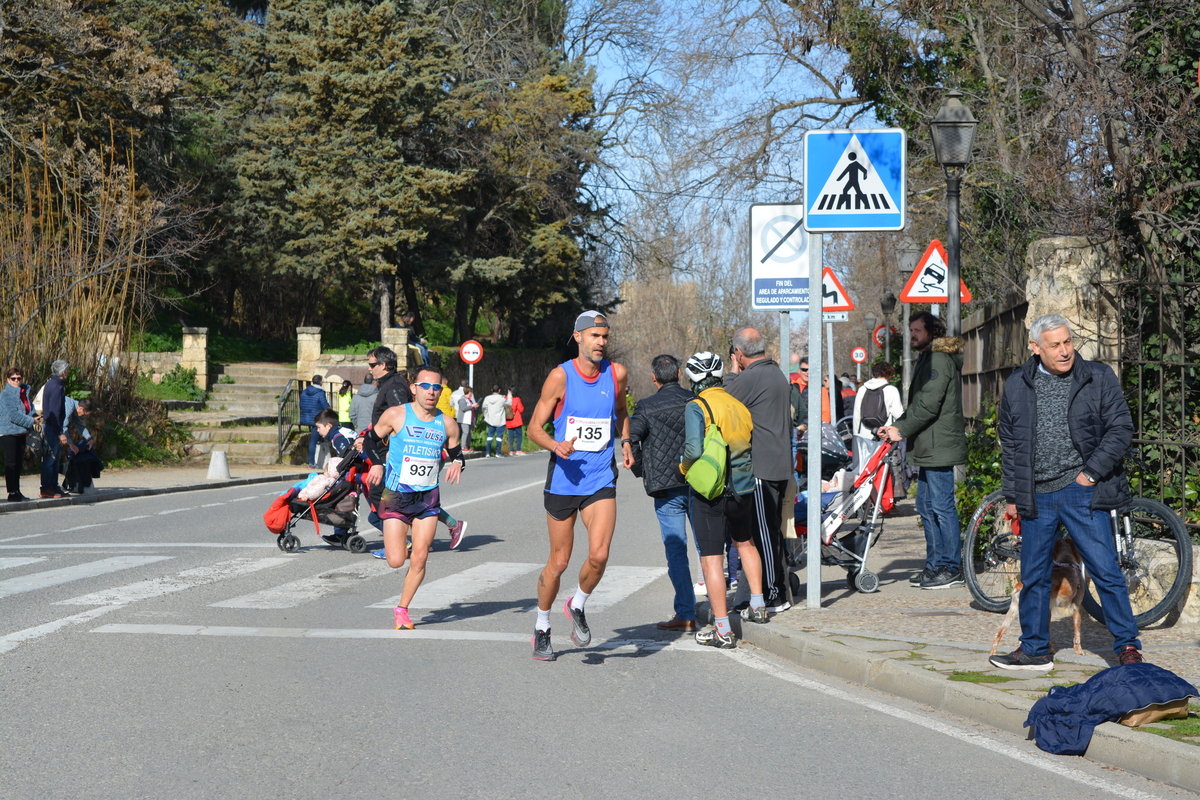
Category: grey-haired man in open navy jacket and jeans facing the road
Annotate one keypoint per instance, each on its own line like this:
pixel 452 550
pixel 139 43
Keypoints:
pixel 1065 428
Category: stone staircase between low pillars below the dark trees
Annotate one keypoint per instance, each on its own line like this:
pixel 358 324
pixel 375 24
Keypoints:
pixel 241 418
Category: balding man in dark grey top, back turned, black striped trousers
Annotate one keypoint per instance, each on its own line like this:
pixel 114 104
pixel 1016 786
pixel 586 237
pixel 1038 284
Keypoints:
pixel 761 387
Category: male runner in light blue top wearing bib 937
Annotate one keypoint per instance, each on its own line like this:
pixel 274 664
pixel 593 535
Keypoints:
pixel 411 477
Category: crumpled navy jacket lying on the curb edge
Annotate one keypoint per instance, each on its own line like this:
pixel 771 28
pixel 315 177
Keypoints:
pixel 1064 720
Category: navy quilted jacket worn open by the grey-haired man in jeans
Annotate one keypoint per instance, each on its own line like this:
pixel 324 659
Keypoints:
pixel 1101 429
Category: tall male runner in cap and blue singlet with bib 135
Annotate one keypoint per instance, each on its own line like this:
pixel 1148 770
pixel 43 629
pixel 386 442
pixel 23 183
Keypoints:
pixel 585 399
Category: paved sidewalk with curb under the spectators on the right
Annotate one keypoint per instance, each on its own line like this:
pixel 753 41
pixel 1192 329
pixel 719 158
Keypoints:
pixel 922 645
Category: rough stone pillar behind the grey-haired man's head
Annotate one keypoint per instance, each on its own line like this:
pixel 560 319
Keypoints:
pixel 1063 275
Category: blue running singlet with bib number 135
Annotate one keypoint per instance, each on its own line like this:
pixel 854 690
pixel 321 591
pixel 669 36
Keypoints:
pixel 589 412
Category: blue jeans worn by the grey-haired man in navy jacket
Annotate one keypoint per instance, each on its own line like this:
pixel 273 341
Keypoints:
pixel 1093 534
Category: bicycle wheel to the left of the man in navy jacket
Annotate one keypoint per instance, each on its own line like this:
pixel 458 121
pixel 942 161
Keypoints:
pixel 992 556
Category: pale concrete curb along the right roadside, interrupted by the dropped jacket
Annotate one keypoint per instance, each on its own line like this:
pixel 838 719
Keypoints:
pixel 1113 744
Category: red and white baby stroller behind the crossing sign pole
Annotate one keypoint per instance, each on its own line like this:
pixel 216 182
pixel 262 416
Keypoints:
pixel 853 507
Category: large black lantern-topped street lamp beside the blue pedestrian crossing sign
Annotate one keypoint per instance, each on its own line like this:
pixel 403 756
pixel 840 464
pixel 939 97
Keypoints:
pixel 953 133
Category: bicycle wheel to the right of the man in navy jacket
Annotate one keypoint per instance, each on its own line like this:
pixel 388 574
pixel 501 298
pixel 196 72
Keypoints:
pixel 1157 567
